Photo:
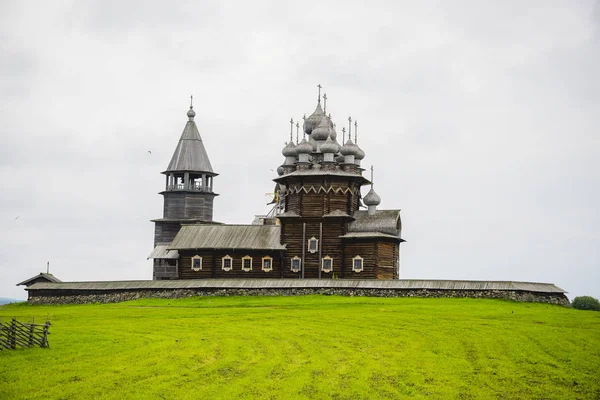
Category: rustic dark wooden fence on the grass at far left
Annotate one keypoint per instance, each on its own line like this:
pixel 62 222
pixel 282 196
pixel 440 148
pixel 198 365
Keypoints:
pixel 15 334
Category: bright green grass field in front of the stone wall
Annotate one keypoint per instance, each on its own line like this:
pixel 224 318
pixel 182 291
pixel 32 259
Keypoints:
pixel 307 347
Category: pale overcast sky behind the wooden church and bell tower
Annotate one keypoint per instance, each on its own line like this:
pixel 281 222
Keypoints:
pixel 481 120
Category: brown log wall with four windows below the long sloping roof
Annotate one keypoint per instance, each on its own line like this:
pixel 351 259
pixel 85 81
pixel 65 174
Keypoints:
pixel 212 265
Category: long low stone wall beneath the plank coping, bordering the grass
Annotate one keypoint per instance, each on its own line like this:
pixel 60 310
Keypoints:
pixel 115 296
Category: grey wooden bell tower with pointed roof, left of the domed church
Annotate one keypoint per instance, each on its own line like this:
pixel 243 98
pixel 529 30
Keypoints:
pixel 188 196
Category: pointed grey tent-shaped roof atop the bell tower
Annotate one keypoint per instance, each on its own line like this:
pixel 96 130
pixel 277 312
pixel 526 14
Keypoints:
pixel 190 154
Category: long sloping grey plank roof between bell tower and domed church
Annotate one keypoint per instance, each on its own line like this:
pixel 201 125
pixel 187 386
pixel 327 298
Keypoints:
pixel 249 237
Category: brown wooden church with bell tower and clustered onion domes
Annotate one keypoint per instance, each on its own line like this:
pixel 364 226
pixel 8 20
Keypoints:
pixel 320 226
